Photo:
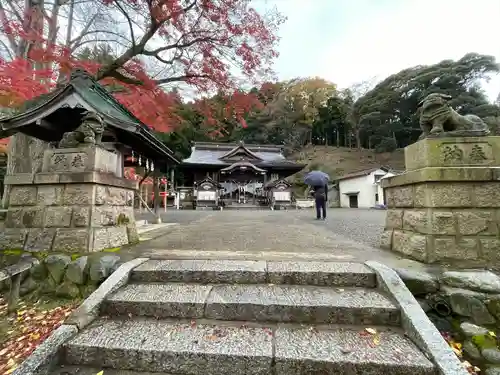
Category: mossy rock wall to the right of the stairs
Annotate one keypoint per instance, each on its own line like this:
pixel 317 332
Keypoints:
pixel 465 304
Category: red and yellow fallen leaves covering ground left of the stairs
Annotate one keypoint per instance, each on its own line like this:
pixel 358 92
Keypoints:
pixel 25 329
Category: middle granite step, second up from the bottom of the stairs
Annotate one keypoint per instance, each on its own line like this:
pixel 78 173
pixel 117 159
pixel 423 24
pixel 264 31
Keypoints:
pixel 254 302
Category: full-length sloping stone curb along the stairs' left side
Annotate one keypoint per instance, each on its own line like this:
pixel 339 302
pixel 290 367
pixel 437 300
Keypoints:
pixel 41 361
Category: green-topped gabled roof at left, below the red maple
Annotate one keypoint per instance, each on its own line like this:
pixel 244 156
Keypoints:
pixel 49 116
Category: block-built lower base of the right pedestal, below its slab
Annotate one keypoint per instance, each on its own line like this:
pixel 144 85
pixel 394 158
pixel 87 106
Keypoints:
pixel 444 221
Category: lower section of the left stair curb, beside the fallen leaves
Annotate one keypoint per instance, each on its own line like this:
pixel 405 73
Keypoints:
pixel 46 354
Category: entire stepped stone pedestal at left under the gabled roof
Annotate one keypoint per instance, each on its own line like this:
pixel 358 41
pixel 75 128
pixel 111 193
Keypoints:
pixel 76 204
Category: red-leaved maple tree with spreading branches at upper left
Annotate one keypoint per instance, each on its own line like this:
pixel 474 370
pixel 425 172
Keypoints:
pixel 205 45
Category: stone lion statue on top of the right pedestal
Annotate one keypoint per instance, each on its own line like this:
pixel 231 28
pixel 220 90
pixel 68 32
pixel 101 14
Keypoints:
pixel 439 119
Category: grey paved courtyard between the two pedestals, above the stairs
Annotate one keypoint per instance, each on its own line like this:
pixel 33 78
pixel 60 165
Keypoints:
pixel 346 235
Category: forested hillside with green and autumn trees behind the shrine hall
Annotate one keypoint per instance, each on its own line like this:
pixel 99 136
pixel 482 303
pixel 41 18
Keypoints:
pixel 311 111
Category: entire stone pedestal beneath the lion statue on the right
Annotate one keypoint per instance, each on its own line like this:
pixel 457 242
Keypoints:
pixel 446 206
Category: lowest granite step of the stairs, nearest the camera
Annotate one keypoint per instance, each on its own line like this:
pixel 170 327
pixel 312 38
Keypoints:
pixel 206 348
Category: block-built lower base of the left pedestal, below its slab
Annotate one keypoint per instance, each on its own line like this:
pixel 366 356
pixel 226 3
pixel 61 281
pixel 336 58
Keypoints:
pixel 68 218
